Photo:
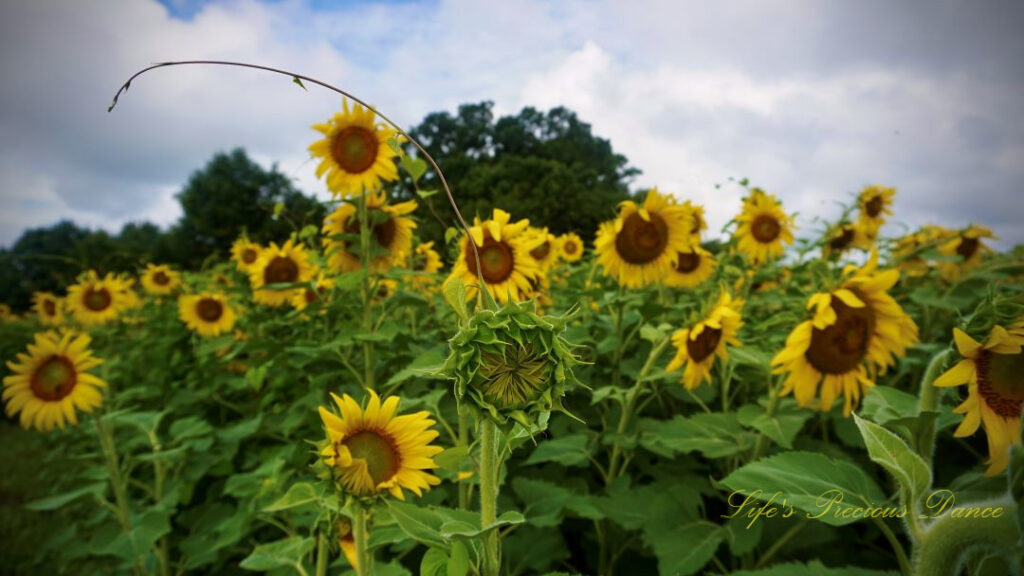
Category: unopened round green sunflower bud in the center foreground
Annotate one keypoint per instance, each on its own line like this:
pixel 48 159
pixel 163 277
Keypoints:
pixel 511 365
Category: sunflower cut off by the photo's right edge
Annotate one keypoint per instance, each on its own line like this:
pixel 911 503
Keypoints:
pixel 995 375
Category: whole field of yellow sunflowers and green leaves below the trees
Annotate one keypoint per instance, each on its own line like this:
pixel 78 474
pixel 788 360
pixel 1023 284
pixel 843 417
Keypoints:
pixel 784 398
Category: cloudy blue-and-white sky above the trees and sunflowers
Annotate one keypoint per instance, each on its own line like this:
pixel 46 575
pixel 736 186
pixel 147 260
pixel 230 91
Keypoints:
pixel 810 100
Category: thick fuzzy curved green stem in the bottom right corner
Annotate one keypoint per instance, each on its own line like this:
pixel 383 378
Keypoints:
pixel 947 541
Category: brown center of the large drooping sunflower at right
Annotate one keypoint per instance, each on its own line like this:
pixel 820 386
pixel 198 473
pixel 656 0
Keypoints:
pixel 840 348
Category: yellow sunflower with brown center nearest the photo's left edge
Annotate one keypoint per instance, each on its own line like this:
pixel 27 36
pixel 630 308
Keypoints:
pixel 53 381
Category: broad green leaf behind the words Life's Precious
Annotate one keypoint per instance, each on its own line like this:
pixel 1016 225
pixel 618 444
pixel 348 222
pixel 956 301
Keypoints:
pixel 825 489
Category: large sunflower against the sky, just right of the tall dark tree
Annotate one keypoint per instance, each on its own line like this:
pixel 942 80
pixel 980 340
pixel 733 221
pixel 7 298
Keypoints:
pixel 643 245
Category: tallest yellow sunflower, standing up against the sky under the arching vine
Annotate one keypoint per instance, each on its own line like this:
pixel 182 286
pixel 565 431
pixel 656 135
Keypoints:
pixel 355 153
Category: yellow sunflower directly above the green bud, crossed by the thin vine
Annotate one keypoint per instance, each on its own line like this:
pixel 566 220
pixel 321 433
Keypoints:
pixel 506 264
